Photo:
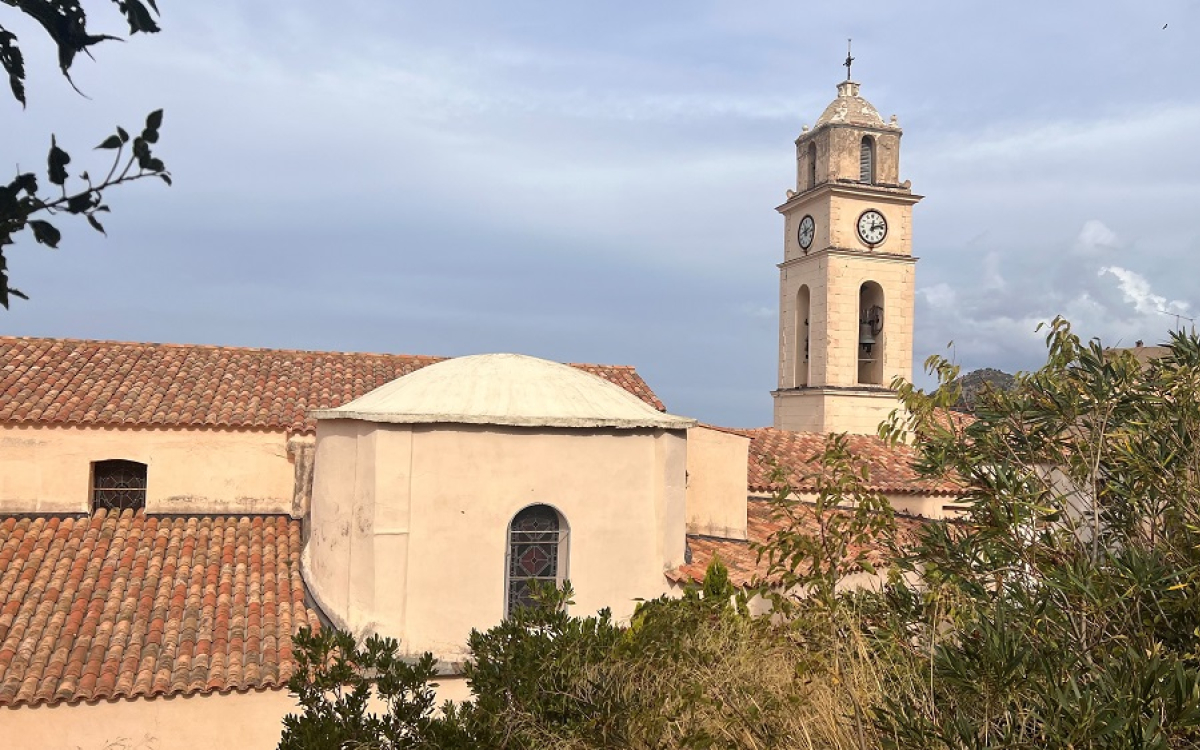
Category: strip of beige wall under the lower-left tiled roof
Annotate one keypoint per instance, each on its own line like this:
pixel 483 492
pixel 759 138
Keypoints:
pixel 236 722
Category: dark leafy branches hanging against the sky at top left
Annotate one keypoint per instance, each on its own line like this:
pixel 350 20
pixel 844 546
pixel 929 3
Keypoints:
pixel 25 202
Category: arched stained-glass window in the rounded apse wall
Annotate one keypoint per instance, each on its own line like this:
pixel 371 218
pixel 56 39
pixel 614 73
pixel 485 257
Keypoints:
pixel 537 554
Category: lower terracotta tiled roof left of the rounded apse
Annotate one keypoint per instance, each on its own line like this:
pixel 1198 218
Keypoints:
pixel 128 605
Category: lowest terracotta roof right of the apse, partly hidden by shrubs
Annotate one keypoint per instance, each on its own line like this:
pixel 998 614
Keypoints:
pixel 741 557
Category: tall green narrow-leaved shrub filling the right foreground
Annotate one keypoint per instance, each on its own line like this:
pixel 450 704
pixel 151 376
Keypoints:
pixel 1064 609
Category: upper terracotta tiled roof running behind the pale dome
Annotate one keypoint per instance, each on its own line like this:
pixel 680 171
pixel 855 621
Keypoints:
pixel 73 382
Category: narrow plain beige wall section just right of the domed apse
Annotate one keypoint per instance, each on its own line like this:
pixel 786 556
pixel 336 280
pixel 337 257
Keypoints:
pixel 717 483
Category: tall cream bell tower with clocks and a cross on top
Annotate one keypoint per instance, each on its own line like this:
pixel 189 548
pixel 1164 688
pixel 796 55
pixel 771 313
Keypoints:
pixel 847 284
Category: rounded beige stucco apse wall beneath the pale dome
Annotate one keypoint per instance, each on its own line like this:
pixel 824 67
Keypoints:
pixel 410 524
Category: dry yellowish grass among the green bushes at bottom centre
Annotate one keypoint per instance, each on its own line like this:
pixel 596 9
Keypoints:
pixel 736 683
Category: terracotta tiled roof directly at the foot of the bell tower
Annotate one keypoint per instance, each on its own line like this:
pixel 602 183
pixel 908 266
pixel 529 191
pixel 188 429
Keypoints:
pixel 891 466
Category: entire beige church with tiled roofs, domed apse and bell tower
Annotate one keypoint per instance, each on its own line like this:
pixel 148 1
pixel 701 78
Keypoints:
pixel 171 515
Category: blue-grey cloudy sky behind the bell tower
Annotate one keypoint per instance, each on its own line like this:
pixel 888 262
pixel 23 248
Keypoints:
pixel 596 183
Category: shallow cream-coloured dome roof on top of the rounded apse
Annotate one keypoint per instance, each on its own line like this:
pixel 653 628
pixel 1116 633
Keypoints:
pixel 505 389
